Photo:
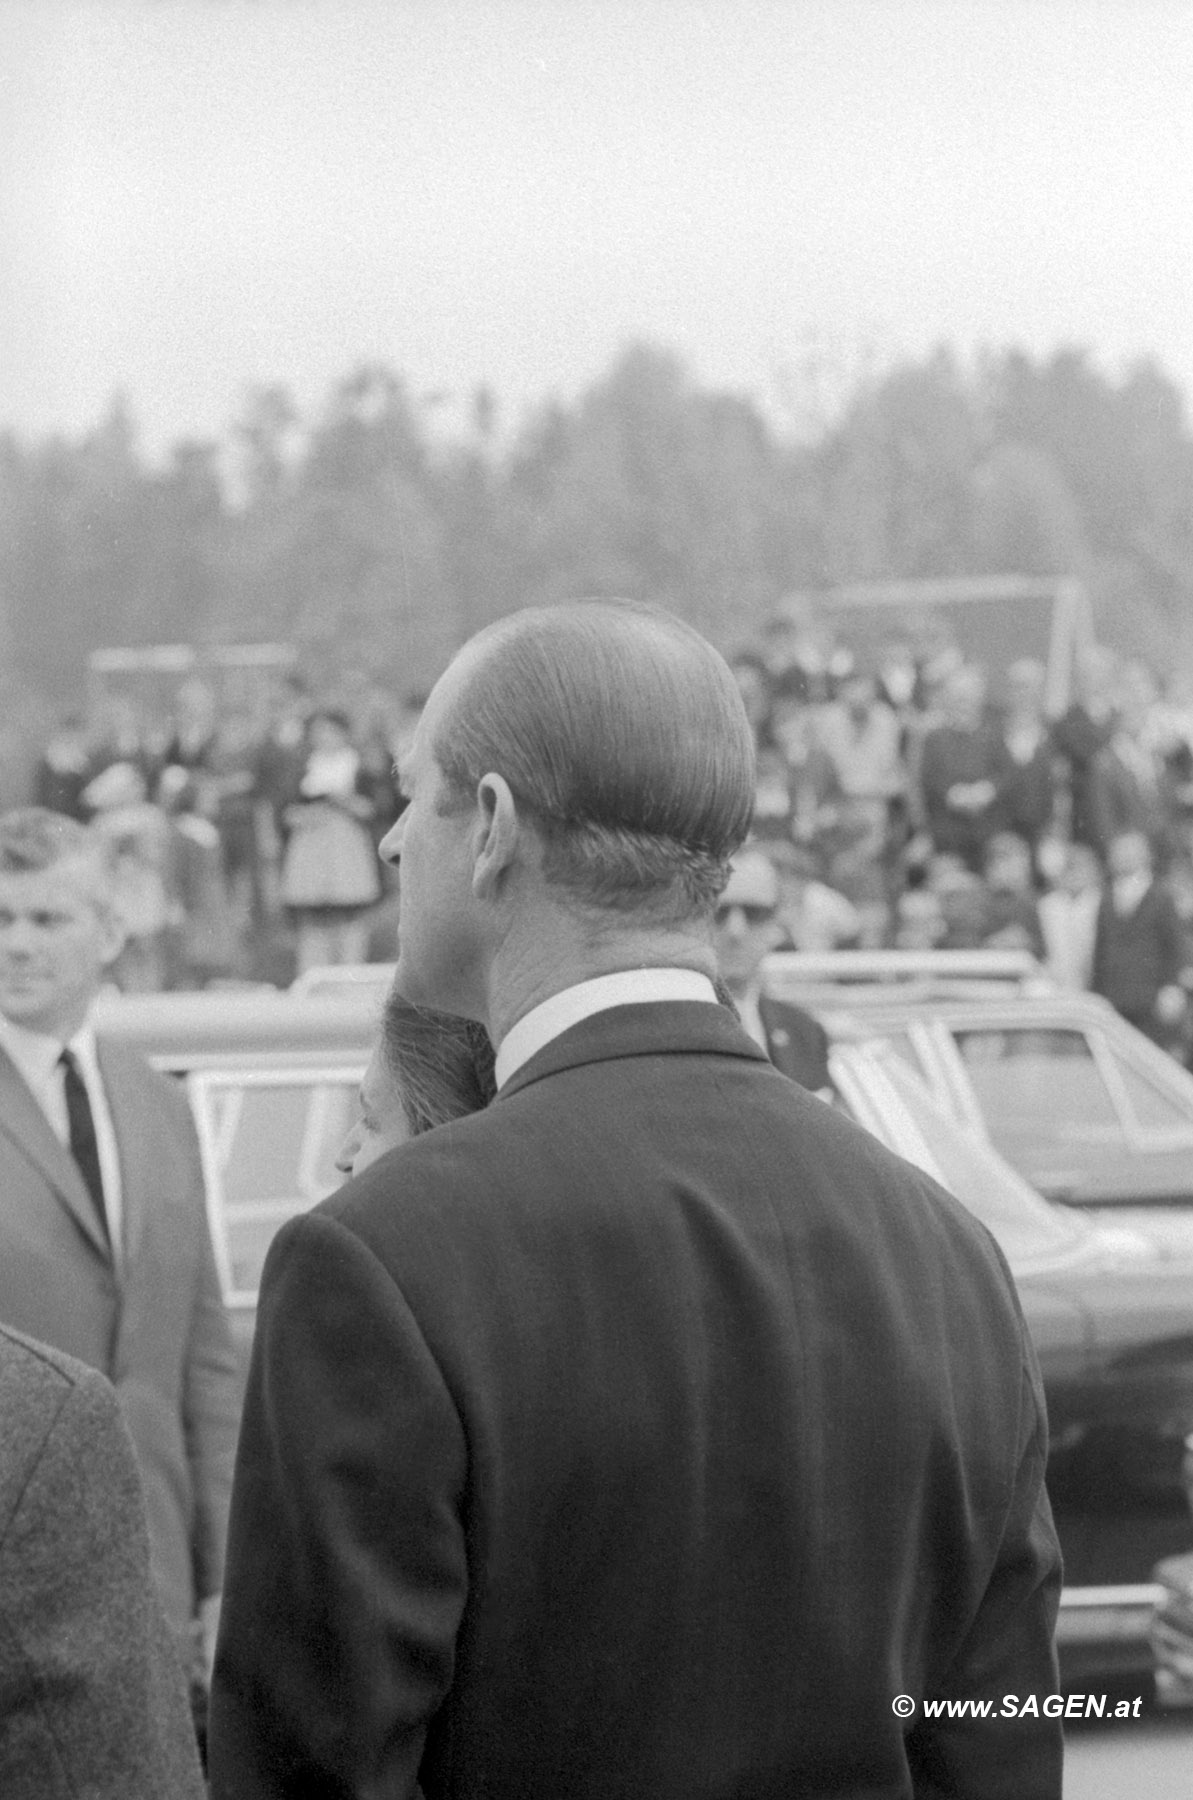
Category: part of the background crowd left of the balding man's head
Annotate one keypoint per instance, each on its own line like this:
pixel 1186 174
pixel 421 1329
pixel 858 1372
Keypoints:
pixel 244 841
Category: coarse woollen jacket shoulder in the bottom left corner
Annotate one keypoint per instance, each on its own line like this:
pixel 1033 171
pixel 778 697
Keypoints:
pixel 93 1698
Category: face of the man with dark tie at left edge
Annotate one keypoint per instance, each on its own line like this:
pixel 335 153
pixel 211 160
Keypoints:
pixel 57 939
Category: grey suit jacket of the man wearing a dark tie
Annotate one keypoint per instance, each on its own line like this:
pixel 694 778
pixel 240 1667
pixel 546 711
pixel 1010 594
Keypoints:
pixel 154 1324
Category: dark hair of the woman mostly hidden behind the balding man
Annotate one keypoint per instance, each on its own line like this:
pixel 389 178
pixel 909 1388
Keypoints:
pixel 442 1065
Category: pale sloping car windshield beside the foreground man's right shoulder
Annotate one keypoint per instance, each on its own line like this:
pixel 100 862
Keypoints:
pixel 1025 1225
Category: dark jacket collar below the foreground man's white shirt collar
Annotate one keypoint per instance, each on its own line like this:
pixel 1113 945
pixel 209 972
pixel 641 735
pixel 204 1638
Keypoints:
pixel 650 1029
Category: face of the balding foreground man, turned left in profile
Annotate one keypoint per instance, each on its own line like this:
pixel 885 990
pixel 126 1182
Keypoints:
pixel 431 849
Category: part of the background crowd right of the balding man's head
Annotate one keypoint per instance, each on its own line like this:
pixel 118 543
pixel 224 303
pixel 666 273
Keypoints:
pixel 911 802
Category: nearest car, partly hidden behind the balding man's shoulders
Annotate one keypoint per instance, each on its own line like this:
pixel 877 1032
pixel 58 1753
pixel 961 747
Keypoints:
pixel 273 1083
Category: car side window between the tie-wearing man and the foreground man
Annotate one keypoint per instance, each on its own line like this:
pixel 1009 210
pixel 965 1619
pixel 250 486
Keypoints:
pixel 269 1144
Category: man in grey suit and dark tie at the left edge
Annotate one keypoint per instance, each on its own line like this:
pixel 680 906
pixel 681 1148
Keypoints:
pixel 105 1248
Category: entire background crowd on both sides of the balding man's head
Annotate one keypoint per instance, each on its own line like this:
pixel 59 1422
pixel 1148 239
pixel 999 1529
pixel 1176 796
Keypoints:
pixel 904 798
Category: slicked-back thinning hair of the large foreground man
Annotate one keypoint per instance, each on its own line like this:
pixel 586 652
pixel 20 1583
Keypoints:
pixel 625 735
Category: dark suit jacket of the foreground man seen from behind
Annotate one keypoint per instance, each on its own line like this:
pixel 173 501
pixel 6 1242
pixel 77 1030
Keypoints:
pixel 645 1434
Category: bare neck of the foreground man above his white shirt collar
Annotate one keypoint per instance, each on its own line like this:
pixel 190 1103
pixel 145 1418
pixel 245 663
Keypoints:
pixel 557 953
